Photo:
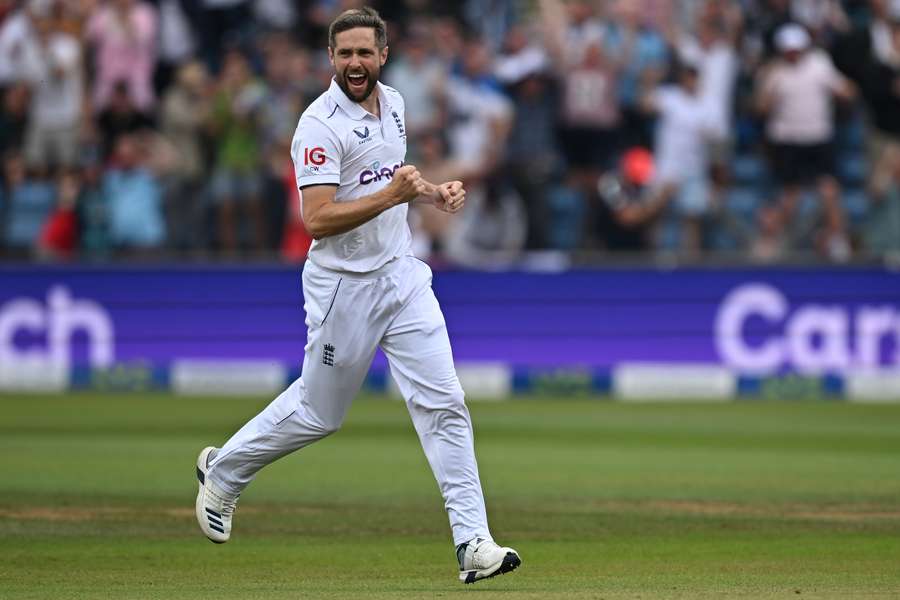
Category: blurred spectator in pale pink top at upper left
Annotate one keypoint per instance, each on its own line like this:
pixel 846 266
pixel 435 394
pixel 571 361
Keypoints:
pixel 123 34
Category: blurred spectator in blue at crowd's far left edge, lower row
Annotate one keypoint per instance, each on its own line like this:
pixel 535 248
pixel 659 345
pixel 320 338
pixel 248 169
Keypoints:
pixel 29 202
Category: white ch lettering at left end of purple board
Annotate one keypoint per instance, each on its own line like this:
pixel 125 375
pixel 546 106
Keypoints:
pixel 57 323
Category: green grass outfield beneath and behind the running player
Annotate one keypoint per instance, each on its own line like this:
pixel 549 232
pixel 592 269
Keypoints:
pixel 747 500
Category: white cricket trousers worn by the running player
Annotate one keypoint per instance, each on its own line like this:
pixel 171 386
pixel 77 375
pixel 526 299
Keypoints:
pixel 349 315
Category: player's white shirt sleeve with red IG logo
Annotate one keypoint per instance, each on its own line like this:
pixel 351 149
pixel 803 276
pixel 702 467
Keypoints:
pixel 316 151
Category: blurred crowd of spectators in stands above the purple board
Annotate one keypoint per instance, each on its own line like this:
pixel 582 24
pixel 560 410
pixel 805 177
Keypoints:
pixel 765 129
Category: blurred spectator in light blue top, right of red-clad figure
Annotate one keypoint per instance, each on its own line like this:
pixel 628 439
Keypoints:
pixel 134 199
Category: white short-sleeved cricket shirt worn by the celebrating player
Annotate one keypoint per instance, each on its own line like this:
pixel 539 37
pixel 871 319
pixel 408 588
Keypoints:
pixel 338 142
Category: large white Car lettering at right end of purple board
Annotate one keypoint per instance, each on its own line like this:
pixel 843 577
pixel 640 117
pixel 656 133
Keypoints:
pixel 811 338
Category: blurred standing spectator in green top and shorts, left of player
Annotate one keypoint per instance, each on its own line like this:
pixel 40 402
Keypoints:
pixel 236 182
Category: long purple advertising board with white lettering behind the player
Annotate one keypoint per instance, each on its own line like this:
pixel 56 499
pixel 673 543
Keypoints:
pixel 750 320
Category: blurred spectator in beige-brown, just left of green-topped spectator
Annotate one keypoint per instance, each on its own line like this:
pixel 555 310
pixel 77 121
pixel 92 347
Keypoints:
pixel 185 112
